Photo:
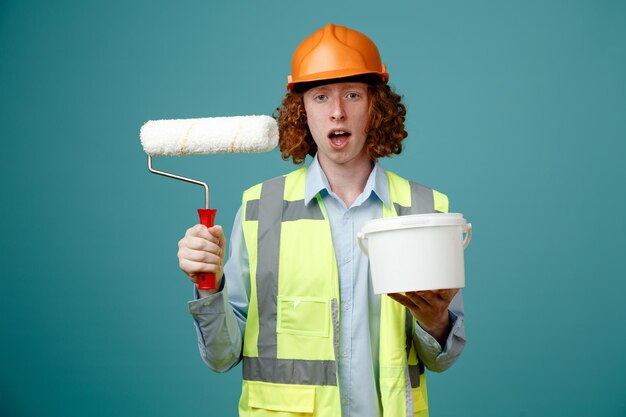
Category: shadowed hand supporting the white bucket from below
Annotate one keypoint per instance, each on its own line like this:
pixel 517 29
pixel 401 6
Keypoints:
pixel 430 309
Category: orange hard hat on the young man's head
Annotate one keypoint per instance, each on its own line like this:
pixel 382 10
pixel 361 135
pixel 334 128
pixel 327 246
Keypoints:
pixel 335 52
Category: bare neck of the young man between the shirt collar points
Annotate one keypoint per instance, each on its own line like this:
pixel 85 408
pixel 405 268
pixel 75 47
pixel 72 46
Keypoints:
pixel 348 181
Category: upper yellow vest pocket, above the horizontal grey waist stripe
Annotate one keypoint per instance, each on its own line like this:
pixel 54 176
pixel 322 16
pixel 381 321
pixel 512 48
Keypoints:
pixel 304 316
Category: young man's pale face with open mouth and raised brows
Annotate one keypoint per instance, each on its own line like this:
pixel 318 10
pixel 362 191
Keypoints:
pixel 337 115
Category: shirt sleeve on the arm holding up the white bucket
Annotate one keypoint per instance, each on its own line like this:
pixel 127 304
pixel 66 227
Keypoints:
pixel 430 352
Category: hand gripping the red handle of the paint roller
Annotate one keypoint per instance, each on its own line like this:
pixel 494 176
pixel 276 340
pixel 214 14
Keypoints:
pixel 202 250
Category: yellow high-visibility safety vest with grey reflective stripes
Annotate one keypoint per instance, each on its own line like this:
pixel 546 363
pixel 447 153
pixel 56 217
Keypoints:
pixel 291 340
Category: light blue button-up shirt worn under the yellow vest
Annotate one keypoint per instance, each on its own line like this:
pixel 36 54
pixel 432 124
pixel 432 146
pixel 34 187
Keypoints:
pixel 220 318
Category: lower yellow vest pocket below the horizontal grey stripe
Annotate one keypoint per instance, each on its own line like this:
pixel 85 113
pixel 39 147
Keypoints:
pixel 281 397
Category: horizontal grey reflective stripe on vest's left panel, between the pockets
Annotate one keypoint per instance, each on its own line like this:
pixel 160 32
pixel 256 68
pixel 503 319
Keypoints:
pixel 289 371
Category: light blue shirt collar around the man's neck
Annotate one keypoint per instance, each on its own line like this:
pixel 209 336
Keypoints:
pixel 316 182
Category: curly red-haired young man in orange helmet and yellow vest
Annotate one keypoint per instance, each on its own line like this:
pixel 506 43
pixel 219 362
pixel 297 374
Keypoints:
pixel 294 299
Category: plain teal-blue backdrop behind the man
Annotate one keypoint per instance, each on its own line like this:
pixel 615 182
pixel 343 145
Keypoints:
pixel 516 110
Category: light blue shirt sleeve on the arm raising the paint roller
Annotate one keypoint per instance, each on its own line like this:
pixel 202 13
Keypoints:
pixel 220 318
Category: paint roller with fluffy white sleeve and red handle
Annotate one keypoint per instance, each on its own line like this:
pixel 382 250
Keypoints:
pixel 209 135
